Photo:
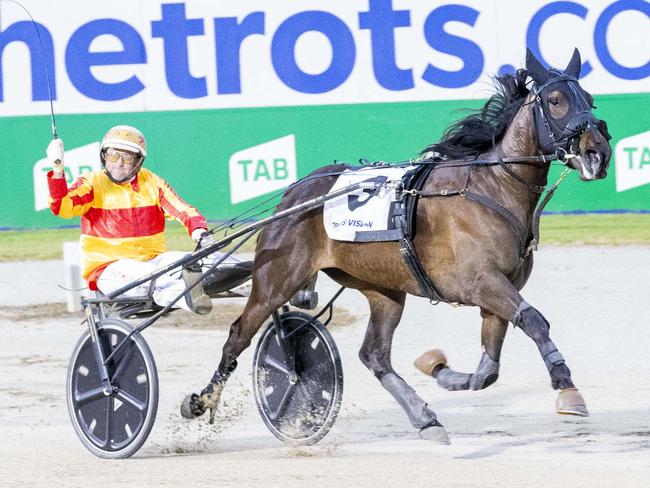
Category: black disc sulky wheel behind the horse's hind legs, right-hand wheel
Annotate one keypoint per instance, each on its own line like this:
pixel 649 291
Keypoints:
pixel 298 408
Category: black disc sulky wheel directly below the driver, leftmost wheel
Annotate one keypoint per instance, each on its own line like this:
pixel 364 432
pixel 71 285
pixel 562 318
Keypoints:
pixel 113 423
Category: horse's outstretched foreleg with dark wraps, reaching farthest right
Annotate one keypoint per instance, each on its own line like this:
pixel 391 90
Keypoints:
pixel 509 304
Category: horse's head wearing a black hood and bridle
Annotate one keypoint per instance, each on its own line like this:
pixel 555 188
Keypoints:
pixel 564 121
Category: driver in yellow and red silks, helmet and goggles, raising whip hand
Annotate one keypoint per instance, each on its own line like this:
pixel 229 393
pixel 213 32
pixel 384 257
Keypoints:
pixel 123 210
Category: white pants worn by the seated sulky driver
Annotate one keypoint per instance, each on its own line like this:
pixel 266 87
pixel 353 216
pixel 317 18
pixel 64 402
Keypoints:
pixel 166 288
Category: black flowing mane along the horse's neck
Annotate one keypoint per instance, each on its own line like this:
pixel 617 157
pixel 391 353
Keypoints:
pixel 479 131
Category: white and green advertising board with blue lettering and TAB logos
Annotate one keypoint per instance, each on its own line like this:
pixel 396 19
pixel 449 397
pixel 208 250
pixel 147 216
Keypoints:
pixel 239 99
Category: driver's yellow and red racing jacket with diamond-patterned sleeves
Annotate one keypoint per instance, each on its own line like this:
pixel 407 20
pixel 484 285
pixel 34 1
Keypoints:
pixel 125 220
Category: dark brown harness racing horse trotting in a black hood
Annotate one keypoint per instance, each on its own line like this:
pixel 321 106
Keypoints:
pixel 466 246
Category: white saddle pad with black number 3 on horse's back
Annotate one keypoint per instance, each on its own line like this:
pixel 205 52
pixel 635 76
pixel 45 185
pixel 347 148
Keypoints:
pixel 365 215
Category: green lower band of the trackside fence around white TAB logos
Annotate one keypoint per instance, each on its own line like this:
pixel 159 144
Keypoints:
pixel 192 150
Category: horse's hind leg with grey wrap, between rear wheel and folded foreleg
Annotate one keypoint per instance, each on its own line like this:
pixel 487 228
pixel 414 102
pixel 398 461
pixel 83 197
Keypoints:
pixel 385 312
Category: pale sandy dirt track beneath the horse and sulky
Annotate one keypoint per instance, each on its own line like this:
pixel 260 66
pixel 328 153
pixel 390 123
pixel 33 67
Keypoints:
pixel 508 435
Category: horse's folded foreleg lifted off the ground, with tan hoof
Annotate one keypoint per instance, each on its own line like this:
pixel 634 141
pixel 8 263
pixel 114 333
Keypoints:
pixel 434 362
